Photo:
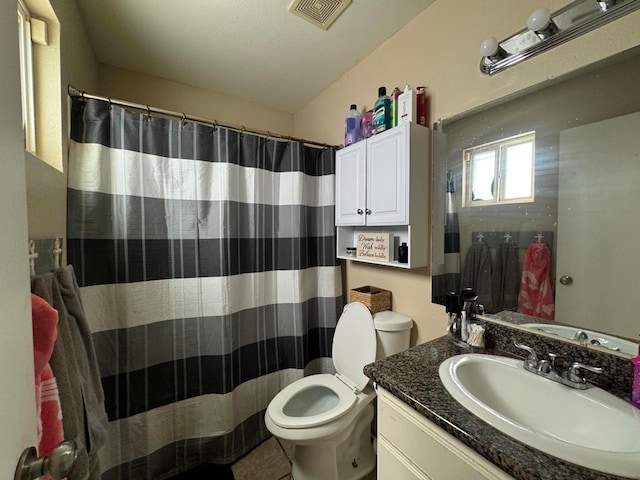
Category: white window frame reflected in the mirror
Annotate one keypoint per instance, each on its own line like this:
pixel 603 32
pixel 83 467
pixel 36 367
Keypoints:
pixel 500 147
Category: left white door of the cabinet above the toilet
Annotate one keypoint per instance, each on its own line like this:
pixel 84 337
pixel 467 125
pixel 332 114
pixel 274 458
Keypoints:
pixel 350 185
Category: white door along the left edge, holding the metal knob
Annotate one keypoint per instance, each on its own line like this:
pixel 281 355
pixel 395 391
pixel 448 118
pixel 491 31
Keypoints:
pixel 17 395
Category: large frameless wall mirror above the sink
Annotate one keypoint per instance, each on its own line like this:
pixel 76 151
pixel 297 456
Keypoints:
pixel 584 132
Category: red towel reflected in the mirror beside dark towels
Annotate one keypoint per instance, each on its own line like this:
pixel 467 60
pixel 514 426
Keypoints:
pixel 536 295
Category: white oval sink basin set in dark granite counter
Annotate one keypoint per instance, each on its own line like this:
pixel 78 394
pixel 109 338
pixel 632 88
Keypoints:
pixel 588 427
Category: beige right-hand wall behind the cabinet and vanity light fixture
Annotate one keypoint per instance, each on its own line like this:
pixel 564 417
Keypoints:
pixel 439 49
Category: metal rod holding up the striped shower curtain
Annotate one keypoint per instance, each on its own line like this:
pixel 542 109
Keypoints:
pixel 74 92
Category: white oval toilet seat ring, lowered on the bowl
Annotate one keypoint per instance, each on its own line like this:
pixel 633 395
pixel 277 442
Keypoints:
pixel 332 400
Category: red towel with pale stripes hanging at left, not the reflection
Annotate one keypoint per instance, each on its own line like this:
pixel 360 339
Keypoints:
pixel 45 320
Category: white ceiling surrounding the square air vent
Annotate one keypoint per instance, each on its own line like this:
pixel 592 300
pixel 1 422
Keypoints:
pixel 255 50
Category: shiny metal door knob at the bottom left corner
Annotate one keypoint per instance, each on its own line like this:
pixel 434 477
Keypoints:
pixel 58 465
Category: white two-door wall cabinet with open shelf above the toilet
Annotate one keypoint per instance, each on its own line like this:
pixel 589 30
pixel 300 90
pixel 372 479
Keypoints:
pixel 382 185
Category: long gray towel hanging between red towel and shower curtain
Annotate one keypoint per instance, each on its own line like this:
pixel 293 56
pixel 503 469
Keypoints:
pixel 74 365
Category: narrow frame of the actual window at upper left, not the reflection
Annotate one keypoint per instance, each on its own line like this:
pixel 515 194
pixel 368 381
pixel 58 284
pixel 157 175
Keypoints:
pixel 27 79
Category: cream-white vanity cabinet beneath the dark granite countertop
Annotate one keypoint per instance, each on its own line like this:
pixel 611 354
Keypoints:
pixel 410 447
